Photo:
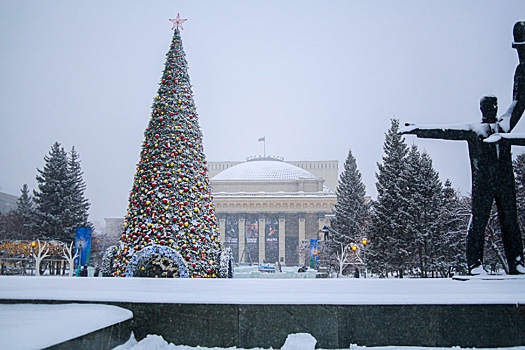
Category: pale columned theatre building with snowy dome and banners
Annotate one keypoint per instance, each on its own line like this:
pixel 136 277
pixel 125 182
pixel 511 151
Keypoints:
pixel 267 207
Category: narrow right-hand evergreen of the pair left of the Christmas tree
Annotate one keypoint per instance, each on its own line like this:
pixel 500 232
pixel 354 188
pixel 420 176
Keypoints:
pixel 79 204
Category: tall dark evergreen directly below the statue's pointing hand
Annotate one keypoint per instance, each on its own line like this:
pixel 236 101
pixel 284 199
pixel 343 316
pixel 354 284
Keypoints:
pixel 386 252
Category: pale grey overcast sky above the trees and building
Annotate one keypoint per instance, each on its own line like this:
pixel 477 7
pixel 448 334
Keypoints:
pixel 316 78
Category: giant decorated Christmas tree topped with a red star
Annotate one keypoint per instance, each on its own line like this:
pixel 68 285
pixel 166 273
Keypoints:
pixel 170 229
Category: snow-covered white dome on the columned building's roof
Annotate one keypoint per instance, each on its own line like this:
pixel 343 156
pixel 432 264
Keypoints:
pixel 263 169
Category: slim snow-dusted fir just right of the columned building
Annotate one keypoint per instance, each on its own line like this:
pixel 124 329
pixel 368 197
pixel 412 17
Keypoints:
pixel 351 212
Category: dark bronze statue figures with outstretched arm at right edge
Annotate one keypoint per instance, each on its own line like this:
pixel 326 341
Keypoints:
pixel 491 166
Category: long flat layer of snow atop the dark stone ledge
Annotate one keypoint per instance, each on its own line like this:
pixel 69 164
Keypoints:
pixel 344 291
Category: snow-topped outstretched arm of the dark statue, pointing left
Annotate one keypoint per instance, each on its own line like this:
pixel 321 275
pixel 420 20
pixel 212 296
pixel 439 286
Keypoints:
pixel 445 132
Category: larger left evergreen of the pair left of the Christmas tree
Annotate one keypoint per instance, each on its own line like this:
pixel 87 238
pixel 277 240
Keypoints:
pixel 53 197
